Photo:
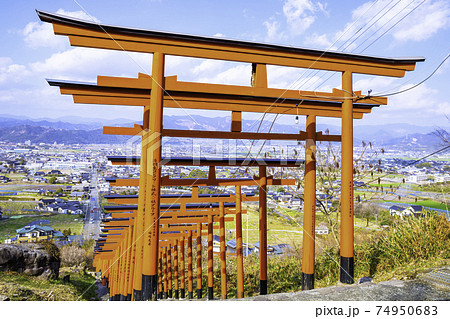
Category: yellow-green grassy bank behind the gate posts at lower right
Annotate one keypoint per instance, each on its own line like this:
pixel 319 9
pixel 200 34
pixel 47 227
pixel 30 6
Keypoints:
pixel 407 248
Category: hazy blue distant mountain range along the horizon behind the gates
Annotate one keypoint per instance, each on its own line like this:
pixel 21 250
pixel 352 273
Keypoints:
pixel 74 130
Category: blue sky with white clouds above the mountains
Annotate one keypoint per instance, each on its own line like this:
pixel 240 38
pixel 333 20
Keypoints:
pixel 30 52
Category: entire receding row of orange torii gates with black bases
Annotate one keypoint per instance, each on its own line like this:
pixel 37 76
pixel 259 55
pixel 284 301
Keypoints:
pixel 142 253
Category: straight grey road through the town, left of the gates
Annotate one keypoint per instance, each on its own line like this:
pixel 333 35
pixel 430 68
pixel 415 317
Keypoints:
pixel 93 217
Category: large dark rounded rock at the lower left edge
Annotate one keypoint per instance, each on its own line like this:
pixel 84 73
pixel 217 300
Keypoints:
pixel 31 259
